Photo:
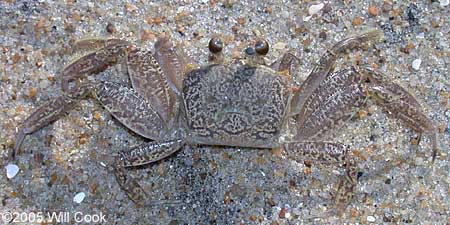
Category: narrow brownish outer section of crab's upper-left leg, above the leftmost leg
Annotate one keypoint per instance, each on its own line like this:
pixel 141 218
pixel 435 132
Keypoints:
pixel 94 62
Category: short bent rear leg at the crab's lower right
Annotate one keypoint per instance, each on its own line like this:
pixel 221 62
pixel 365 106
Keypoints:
pixel 332 154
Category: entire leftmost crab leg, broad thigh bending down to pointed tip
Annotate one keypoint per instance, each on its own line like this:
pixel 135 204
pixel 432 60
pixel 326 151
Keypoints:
pixel 124 104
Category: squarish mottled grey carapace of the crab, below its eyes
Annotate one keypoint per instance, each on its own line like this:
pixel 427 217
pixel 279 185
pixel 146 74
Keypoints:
pixel 235 105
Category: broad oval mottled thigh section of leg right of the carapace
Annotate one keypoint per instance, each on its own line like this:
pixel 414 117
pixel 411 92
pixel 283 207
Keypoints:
pixel 332 104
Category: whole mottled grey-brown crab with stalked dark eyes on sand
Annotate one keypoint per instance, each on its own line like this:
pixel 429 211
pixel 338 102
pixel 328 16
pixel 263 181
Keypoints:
pixel 243 103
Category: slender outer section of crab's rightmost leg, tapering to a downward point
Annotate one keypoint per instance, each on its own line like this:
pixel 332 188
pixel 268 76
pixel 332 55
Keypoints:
pixel 400 104
